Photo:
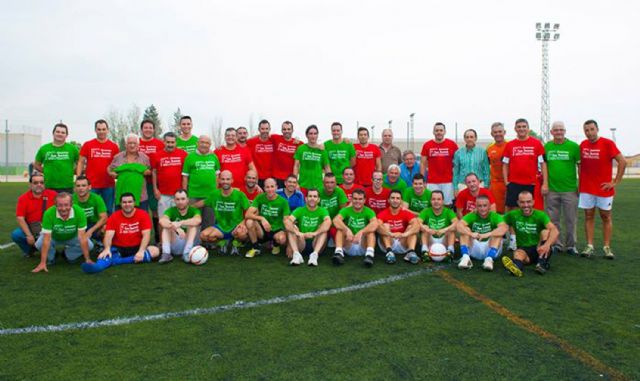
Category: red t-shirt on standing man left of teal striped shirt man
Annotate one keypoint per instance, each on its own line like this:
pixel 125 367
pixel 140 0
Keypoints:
pixel 439 160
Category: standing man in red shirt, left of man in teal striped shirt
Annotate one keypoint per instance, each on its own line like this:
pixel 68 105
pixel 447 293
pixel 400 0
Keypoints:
pixel 436 162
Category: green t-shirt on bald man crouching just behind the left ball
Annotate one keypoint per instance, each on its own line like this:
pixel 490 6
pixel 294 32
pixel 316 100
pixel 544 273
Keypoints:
pixel 228 210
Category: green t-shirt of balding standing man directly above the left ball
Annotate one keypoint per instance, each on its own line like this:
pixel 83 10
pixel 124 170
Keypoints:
pixel 201 170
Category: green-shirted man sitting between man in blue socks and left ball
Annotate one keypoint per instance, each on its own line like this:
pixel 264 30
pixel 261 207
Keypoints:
pixel 180 226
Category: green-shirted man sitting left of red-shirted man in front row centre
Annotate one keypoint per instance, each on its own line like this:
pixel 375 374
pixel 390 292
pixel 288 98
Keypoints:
pixel 356 226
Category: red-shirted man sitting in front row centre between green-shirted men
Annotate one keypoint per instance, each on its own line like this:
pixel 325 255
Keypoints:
pixel 397 230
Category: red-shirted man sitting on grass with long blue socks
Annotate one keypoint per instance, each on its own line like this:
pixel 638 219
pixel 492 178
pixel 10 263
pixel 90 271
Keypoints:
pixel 126 238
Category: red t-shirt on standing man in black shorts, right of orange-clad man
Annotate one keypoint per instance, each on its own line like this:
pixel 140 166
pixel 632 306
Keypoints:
pixel 523 157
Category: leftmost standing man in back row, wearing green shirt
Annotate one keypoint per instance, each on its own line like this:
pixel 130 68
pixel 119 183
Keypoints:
pixel 57 160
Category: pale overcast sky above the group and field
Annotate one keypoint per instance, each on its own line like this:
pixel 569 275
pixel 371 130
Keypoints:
pixel 470 62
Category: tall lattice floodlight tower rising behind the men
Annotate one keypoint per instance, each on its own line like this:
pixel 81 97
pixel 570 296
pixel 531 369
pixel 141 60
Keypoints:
pixel 545 32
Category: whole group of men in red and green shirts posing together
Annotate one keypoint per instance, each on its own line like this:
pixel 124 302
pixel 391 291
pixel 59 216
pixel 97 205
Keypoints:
pixel 296 196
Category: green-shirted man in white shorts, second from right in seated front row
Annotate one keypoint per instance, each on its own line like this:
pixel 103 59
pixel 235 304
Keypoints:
pixel 481 233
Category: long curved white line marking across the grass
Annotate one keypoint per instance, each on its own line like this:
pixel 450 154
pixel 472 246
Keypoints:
pixel 239 305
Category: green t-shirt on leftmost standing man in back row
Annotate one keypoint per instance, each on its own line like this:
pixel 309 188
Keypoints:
pixel 58 164
